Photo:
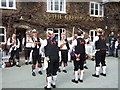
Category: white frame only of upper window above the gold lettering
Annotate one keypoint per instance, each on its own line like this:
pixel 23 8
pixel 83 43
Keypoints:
pixel 56 11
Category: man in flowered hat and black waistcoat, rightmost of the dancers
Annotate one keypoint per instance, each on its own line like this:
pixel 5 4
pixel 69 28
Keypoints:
pixel 100 47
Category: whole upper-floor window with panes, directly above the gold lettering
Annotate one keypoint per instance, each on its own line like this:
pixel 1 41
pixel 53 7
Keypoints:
pixel 57 6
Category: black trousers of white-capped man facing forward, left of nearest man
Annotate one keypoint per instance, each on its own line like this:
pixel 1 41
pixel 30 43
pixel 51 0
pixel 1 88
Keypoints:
pixel 36 57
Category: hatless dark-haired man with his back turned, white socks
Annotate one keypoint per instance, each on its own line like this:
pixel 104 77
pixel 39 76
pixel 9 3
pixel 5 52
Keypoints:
pixel 79 57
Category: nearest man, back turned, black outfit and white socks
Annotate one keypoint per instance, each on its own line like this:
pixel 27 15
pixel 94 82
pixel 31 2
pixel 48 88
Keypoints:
pixel 51 48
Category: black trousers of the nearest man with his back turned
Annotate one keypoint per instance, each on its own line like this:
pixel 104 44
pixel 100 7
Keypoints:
pixel 53 66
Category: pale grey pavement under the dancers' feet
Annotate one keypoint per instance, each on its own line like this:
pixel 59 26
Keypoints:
pixel 14 77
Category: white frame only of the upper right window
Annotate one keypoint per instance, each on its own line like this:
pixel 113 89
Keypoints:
pixel 98 9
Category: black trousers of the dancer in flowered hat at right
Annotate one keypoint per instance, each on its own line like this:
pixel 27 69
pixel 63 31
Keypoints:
pixel 100 58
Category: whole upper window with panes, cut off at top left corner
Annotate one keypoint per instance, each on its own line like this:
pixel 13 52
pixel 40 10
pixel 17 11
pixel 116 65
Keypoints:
pixel 8 4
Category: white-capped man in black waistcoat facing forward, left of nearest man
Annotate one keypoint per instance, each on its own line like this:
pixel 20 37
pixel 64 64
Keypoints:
pixel 36 54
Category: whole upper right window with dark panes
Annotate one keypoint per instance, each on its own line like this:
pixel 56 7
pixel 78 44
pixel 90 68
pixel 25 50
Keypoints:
pixel 96 9
